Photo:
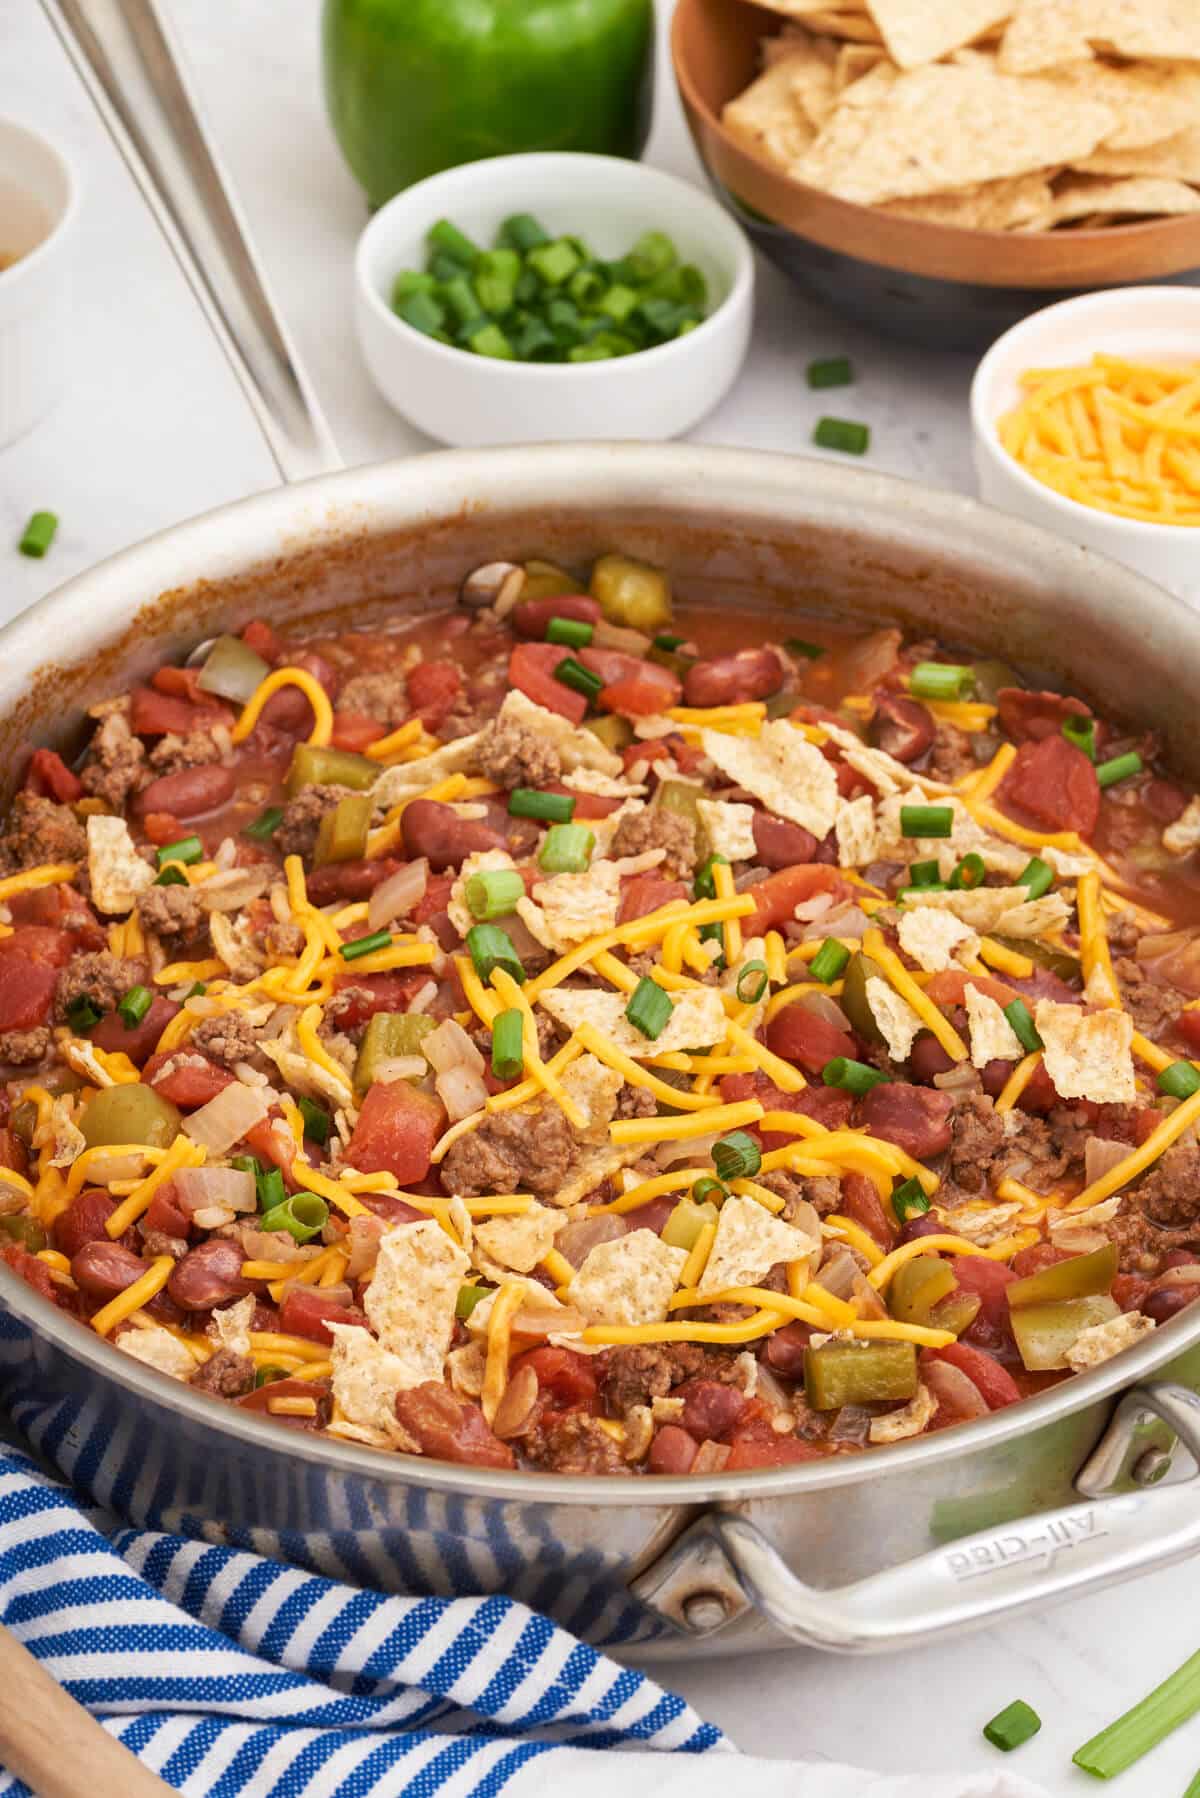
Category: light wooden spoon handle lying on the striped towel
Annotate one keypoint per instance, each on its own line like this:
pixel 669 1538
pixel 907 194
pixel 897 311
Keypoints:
pixel 55 1745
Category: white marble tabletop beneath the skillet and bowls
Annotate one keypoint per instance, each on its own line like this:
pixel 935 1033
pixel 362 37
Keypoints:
pixel 154 431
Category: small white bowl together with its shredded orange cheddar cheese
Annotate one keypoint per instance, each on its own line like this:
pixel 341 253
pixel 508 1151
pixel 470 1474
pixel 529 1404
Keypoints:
pixel 1100 441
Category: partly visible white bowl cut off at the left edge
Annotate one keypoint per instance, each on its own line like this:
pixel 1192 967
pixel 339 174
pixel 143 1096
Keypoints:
pixel 39 204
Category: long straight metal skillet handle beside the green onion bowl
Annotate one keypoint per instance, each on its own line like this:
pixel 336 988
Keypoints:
pixel 129 64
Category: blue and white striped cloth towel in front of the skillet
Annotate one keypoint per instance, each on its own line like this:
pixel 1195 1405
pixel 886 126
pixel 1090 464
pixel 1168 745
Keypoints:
pixel 235 1677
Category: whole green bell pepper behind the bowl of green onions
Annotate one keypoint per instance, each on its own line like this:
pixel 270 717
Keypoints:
pixel 422 85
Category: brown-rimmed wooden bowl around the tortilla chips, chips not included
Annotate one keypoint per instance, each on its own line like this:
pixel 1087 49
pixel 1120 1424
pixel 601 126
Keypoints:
pixel 931 285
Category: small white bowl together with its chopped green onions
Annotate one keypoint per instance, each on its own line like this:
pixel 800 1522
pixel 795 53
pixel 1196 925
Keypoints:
pixel 553 298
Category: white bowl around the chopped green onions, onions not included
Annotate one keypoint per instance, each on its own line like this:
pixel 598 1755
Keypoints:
pixel 469 400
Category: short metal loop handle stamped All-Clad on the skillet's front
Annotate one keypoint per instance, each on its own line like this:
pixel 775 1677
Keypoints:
pixel 724 1565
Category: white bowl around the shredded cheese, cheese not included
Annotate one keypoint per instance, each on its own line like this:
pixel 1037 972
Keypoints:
pixel 1145 325
